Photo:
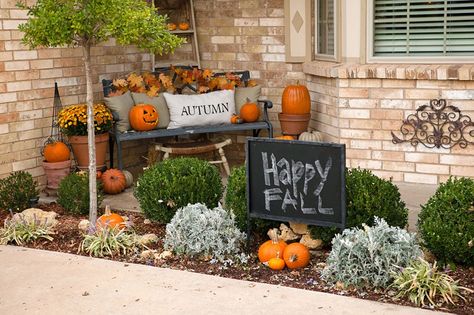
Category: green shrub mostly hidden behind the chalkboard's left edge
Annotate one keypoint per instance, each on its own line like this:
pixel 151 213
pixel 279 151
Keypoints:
pixel 236 201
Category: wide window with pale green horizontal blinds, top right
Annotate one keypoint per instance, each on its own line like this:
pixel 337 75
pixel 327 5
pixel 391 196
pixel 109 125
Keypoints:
pixel 419 28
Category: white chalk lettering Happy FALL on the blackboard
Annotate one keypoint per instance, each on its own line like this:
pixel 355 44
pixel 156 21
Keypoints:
pixel 289 184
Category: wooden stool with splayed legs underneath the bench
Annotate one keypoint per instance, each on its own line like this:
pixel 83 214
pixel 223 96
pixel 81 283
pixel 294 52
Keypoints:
pixel 197 148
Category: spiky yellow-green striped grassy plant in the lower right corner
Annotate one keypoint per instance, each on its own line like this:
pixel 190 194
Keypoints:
pixel 422 282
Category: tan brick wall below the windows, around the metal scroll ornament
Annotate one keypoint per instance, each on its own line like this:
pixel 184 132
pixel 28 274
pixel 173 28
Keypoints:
pixel 370 101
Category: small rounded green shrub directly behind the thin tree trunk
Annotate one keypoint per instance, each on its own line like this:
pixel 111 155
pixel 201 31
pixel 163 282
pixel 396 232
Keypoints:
pixel 73 193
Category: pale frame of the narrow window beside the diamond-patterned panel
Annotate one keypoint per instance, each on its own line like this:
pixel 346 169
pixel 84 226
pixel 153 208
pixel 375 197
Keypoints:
pixel 337 33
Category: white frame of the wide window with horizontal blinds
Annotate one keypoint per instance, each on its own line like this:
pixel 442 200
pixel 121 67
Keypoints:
pixel 403 59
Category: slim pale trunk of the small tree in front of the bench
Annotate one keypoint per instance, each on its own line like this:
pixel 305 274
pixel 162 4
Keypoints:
pixel 90 136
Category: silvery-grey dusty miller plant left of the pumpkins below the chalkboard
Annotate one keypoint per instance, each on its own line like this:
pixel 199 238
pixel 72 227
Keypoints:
pixel 196 230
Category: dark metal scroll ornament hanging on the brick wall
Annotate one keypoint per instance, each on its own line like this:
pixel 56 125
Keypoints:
pixel 437 126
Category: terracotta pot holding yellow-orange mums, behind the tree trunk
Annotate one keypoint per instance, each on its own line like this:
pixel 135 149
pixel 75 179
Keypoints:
pixel 81 152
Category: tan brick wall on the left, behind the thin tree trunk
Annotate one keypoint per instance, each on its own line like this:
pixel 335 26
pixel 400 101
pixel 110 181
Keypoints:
pixel 26 88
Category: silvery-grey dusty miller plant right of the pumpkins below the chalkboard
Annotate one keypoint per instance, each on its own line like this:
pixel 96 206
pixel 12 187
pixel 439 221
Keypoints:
pixel 368 256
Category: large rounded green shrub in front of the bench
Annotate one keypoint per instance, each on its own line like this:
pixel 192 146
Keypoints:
pixel 171 184
